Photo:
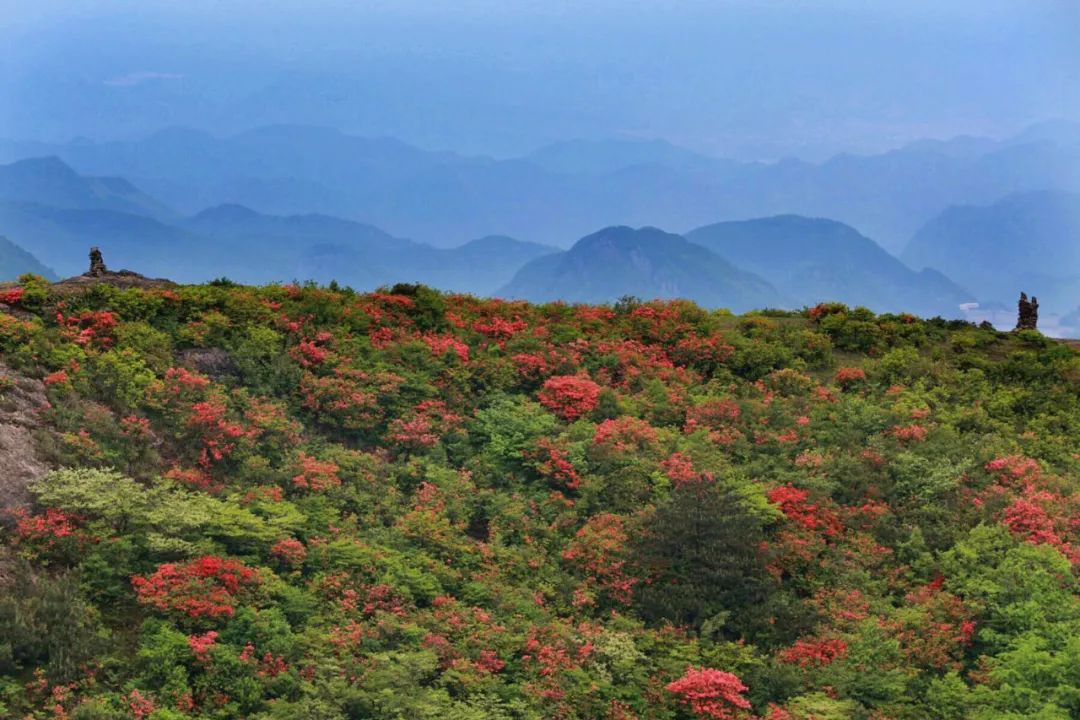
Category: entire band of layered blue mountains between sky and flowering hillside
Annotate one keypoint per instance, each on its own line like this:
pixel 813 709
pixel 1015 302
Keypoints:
pixel 285 203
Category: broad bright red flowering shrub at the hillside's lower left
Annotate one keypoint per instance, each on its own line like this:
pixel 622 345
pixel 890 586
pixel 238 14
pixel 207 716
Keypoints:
pixel 206 588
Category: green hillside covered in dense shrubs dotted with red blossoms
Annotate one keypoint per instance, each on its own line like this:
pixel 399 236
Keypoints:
pixel 298 502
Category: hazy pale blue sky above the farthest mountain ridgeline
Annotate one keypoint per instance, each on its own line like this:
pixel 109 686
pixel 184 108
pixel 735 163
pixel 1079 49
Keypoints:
pixel 742 78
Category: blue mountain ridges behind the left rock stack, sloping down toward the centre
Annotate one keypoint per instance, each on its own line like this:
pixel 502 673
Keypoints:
pixel 58 214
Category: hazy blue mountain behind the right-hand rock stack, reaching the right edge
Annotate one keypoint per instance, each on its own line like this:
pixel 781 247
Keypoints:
pixel 1024 242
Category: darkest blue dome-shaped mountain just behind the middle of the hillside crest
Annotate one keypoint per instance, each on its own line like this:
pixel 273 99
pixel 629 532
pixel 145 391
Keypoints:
pixel 646 263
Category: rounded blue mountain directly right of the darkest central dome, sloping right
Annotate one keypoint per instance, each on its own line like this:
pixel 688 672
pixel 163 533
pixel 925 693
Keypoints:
pixel 812 261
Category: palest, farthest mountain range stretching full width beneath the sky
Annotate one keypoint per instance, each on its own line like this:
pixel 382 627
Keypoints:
pixel 566 191
